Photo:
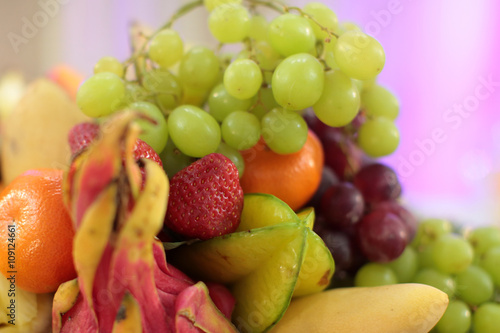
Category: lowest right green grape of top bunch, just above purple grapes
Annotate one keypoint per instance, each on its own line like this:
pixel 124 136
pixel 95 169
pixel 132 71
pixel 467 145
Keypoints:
pixel 378 137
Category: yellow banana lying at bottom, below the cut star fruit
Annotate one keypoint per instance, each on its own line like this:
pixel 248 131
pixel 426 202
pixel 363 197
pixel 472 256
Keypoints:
pixel 399 308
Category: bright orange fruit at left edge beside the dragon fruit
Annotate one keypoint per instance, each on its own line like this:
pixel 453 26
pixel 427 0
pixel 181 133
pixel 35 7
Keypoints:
pixel 34 218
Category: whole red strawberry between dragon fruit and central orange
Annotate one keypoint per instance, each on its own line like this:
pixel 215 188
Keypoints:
pixel 205 199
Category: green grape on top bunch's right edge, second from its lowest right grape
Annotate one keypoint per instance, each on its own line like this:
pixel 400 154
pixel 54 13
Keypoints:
pixel 379 102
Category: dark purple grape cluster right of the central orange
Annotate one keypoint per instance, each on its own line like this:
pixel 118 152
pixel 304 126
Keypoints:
pixel 358 210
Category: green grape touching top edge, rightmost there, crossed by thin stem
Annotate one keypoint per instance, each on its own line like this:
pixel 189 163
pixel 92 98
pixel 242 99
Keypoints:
pixel 321 15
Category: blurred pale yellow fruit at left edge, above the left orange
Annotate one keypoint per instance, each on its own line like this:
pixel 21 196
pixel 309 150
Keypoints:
pixel 31 138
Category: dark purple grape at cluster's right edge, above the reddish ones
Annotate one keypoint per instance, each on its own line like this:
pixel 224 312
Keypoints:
pixel 377 182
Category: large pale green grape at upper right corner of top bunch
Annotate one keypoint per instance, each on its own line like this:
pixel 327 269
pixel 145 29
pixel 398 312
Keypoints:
pixel 358 55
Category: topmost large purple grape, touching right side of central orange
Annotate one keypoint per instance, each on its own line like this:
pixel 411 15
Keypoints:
pixel 342 154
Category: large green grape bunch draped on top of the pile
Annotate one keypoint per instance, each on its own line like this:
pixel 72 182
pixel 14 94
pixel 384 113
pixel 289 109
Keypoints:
pixel 271 63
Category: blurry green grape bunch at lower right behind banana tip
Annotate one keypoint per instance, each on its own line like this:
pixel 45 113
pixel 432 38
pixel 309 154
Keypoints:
pixel 462 262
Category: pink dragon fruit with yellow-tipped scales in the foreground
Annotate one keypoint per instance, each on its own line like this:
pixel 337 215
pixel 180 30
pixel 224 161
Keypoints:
pixel 124 282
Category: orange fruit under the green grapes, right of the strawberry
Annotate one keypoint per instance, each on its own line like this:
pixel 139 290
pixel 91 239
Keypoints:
pixel 294 178
